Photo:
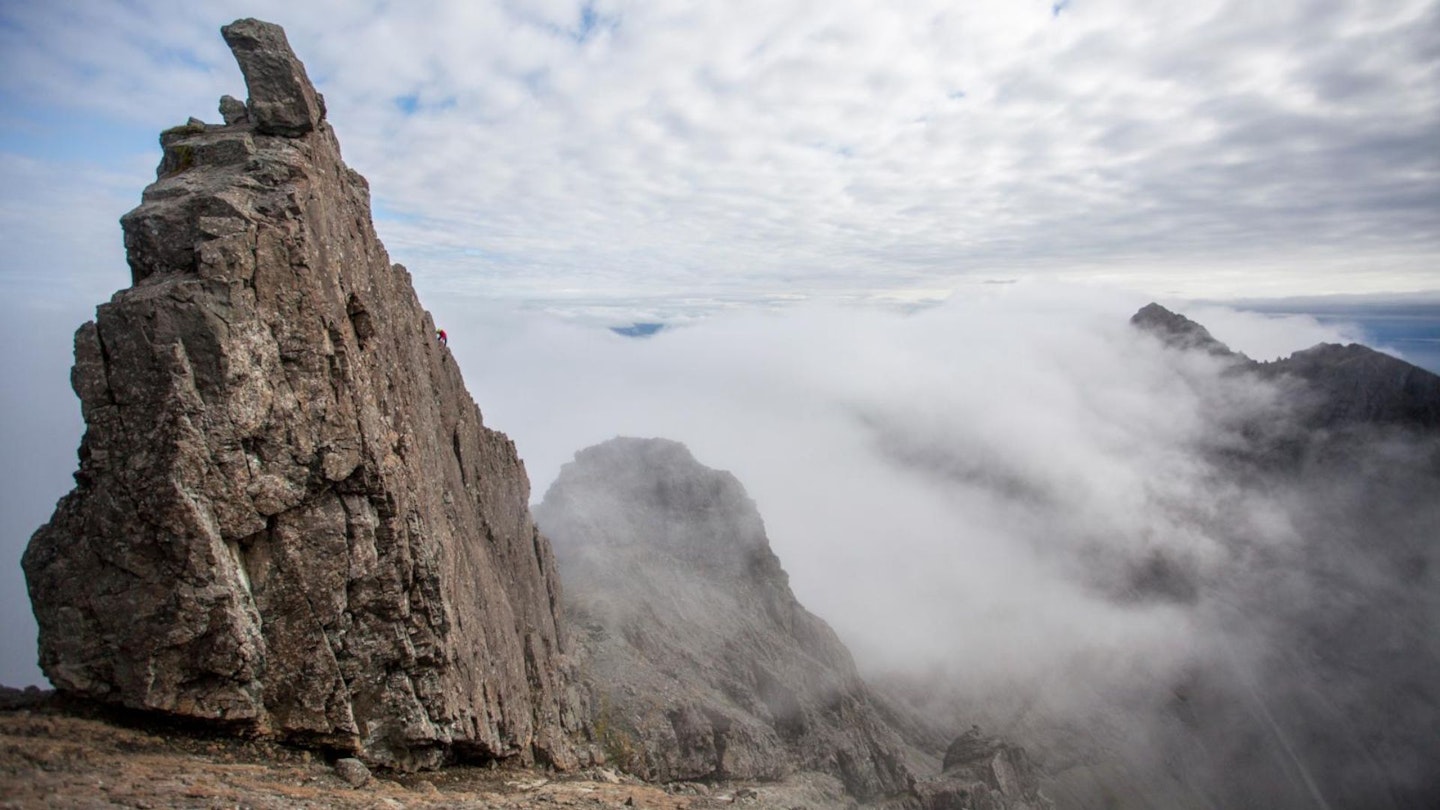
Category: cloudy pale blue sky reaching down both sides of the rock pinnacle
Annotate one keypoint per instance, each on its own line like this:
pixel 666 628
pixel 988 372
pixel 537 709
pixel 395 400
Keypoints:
pixel 715 164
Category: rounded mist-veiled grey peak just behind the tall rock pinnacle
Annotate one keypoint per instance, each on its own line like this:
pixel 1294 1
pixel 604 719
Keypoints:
pixel 703 662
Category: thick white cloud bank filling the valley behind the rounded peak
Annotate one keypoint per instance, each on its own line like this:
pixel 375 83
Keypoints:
pixel 932 481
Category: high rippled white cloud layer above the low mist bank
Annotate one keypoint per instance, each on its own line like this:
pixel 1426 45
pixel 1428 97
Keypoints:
pixel 834 151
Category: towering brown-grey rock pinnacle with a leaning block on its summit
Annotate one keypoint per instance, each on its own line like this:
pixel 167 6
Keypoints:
pixel 290 517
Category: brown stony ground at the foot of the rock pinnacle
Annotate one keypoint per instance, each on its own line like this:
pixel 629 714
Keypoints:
pixel 58 755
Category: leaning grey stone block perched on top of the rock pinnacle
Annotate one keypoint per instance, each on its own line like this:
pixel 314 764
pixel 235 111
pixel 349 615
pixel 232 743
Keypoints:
pixel 283 102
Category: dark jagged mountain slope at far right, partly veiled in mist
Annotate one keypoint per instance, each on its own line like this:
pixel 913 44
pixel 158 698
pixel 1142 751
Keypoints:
pixel 1324 690
